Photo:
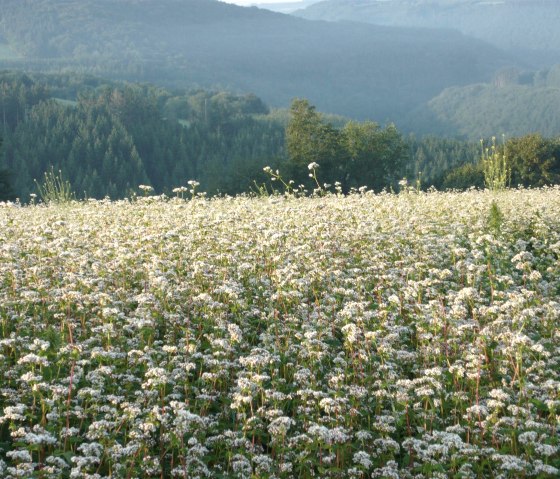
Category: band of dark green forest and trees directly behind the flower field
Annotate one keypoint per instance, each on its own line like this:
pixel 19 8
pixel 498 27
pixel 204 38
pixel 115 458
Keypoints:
pixel 107 138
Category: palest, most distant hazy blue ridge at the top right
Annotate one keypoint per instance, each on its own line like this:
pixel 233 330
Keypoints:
pixel 527 28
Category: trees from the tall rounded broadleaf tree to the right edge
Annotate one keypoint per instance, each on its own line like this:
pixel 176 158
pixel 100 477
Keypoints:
pixel 361 154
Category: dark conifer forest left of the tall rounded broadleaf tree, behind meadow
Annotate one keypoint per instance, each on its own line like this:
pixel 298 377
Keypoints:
pixel 110 137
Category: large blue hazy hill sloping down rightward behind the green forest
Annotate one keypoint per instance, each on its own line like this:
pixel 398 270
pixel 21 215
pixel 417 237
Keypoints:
pixel 354 69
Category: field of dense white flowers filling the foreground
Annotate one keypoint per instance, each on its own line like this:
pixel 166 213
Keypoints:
pixel 411 335
